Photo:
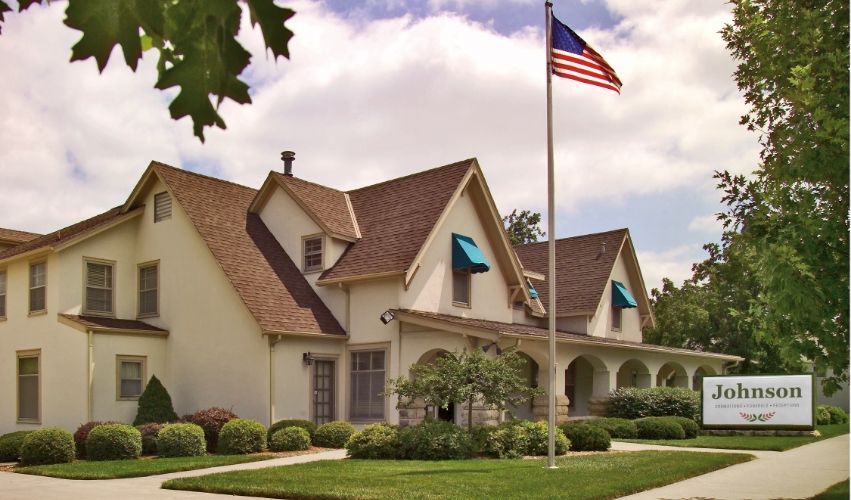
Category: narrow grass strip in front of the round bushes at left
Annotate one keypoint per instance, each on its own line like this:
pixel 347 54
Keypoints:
pixel 114 469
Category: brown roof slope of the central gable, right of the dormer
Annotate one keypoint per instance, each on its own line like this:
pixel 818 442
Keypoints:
pixel 395 218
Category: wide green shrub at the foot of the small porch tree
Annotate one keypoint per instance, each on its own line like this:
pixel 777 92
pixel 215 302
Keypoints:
pixel 434 440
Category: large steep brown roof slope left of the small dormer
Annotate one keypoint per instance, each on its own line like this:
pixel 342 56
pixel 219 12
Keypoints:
pixel 264 276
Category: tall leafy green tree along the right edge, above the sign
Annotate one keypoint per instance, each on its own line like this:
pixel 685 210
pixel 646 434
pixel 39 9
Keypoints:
pixel 791 218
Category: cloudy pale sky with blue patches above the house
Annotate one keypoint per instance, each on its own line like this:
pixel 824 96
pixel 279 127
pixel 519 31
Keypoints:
pixel 378 89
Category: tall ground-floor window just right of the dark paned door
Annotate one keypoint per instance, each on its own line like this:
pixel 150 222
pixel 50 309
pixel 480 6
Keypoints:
pixel 367 386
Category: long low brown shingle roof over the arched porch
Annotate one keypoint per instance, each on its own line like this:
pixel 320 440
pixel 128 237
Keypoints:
pixel 514 329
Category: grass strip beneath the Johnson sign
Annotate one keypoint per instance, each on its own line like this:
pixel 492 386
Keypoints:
pixel 770 443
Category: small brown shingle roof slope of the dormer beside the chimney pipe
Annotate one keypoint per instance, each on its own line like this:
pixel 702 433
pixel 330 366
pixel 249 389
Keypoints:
pixel 327 204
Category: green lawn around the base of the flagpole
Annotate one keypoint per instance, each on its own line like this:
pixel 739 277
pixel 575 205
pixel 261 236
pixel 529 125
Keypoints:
pixel 576 477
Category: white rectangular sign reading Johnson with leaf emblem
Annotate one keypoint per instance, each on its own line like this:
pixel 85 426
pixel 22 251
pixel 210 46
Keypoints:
pixel 758 401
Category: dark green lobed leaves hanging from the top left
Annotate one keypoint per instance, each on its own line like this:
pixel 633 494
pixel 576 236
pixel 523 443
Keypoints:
pixel 195 39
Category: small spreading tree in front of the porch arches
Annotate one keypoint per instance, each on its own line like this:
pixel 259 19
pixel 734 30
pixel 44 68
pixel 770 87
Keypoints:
pixel 464 378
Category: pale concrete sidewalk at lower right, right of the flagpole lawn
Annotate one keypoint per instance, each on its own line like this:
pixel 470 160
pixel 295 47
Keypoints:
pixel 801 472
